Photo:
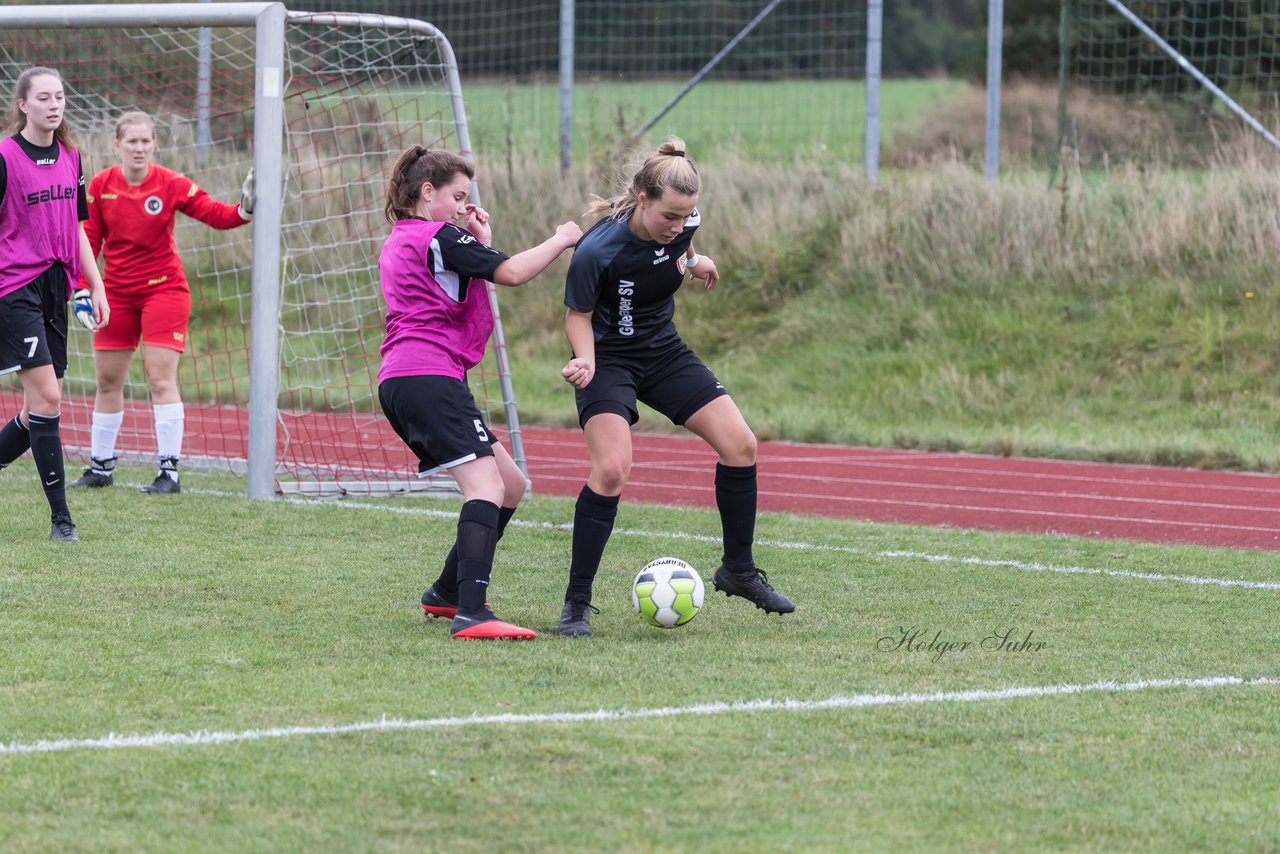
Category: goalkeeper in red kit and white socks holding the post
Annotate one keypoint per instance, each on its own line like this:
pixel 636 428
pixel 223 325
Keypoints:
pixel 131 214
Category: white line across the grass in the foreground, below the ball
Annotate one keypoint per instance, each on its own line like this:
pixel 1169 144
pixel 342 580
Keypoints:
pixel 839 702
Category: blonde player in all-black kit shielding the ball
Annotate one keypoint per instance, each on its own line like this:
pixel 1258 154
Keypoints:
pixel 620 295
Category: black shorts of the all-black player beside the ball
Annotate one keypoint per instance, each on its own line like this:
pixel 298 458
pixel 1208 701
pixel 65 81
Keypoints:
pixel 676 383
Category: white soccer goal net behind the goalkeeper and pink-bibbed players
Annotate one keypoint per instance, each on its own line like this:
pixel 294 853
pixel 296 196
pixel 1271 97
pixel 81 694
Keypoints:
pixel 358 90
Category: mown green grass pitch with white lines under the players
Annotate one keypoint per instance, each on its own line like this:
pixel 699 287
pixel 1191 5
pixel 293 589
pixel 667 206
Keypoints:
pixel 211 615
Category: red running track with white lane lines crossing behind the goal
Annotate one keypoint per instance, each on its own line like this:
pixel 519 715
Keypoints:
pixel 921 488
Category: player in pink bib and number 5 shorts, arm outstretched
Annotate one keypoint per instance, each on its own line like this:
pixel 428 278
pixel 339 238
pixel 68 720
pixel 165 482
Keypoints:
pixel 433 271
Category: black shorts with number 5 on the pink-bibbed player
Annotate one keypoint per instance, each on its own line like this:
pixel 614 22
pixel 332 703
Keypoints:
pixel 438 419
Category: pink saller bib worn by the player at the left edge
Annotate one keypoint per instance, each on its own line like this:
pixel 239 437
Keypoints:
pixel 39 217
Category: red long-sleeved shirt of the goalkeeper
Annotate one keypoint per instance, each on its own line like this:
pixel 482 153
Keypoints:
pixel 134 227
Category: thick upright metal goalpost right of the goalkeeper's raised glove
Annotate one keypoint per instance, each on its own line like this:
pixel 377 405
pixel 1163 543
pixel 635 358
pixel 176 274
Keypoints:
pixel 264 383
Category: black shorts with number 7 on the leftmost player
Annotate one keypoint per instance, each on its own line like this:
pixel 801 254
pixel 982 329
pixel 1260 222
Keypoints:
pixel 34 325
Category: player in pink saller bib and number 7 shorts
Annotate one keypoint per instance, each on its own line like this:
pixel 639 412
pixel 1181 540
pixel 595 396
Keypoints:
pixel 44 253
